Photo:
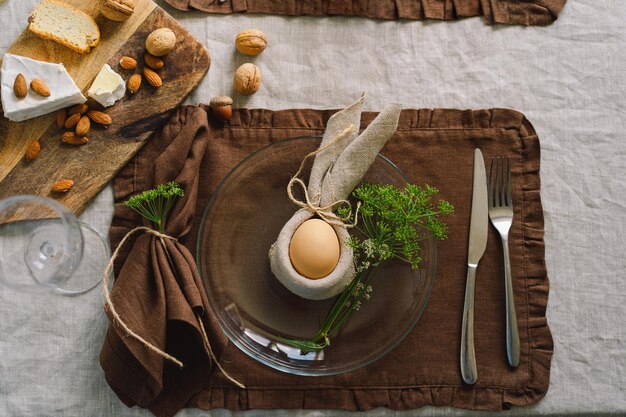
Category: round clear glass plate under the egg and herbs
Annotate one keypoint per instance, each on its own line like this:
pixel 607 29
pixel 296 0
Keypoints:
pixel 243 218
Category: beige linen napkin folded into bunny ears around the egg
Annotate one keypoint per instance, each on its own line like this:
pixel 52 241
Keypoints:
pixel 340 163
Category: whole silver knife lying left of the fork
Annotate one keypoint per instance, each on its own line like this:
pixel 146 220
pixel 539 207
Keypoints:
pixel 477 244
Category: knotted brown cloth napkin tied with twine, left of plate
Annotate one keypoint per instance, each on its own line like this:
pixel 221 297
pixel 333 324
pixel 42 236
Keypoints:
pixel 158 302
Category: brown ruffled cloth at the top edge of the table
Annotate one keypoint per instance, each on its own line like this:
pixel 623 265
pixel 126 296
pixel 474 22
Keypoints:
pixel 519 12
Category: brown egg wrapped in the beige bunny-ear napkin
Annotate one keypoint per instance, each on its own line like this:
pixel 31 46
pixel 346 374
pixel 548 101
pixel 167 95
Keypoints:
pixel 314 249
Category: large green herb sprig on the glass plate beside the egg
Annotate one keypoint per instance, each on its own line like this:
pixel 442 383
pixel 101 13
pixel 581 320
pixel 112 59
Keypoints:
pixel 391 224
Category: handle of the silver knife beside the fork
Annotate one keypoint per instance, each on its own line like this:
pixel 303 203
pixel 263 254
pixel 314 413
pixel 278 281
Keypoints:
pixel 468 357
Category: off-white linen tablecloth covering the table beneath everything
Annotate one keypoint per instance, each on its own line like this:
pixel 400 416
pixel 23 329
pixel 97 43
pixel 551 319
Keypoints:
pixel 567 78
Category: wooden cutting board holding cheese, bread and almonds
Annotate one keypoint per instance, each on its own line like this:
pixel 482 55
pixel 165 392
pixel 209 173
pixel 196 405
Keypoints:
pixel 93 165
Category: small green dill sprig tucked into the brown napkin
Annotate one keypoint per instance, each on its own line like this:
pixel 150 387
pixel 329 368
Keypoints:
pixel 156 204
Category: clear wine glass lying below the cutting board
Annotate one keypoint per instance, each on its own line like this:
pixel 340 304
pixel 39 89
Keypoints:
pixel 42 246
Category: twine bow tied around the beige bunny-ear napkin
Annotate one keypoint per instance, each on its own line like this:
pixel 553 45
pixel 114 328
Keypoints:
pixel 326 212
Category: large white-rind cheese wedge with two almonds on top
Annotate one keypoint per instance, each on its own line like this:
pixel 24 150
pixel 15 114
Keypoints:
pixel 63 90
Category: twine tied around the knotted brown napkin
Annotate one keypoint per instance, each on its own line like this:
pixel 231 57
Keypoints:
pixel 108 306
